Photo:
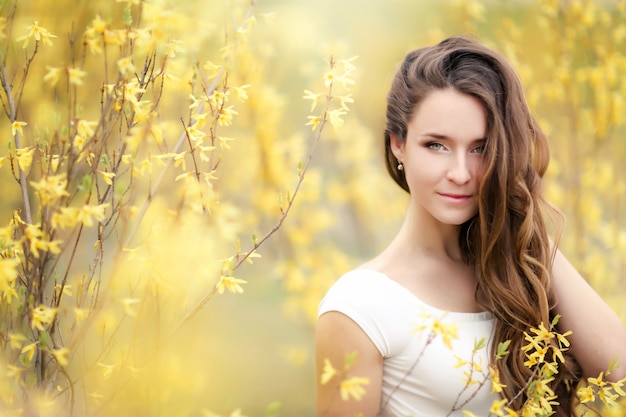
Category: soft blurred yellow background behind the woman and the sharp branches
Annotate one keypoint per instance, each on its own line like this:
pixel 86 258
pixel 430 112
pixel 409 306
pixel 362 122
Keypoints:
pixel 253 351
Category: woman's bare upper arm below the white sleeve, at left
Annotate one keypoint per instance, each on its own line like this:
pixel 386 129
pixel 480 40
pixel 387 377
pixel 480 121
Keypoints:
pixel 337 336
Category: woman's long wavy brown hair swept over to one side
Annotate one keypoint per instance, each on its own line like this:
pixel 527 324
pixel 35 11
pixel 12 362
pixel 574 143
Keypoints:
pixel 507 241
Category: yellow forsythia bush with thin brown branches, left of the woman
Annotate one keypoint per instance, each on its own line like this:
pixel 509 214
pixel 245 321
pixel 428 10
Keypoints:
pixel 119 219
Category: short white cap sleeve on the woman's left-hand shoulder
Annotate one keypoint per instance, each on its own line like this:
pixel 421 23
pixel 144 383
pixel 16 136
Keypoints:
pixel 367 298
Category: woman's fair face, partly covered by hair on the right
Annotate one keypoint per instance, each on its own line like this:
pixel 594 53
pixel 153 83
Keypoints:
pixel 443 155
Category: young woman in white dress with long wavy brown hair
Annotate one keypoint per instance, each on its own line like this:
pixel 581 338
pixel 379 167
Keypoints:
pixel 472 258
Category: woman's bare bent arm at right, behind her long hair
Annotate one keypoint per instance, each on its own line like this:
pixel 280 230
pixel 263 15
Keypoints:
pixel 598 335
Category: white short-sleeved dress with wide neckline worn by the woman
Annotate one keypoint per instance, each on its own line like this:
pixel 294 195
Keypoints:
pixel 422 376
